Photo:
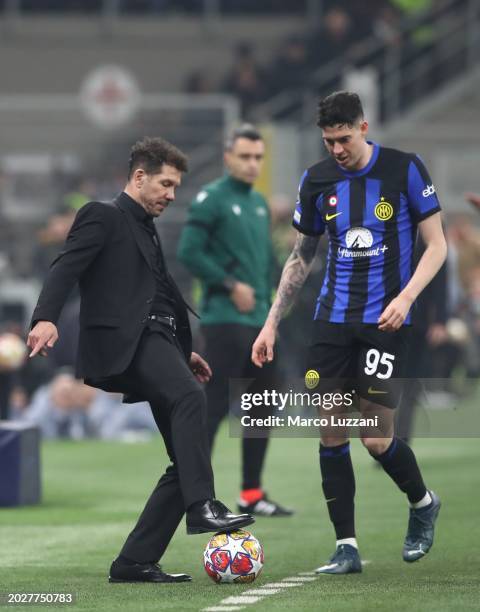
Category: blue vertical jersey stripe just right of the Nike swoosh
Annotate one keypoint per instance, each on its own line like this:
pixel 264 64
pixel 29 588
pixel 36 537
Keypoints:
pixel 343 272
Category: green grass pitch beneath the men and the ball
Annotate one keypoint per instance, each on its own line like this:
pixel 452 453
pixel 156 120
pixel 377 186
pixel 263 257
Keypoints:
pixel 94 491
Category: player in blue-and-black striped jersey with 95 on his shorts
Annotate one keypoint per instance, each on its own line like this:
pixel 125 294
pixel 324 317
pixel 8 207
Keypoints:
pixel 370 199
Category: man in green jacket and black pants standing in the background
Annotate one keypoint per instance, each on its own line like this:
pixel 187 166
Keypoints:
pixel 226 244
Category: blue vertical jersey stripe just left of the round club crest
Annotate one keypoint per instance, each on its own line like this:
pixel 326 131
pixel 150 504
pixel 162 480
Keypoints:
pixel 376 284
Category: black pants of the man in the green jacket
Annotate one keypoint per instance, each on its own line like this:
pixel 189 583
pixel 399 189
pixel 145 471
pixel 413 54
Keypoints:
pixel 227 349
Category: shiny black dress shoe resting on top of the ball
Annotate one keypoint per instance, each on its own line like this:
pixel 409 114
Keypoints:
pixel 212 515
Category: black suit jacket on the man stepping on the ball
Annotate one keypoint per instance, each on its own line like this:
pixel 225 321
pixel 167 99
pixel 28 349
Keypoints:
pixel 105 253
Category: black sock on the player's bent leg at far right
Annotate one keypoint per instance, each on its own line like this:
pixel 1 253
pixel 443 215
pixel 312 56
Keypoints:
pixel 401 465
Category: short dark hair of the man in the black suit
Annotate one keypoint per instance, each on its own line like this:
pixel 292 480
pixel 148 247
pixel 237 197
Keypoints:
pixel 151 153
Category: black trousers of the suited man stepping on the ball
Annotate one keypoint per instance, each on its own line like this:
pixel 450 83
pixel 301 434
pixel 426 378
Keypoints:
pixel 160 373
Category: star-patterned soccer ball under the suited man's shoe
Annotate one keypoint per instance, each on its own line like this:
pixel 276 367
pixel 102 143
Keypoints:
pixel 233 557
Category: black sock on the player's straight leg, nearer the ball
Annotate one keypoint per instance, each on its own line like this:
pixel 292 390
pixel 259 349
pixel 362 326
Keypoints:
pixel 338 483
